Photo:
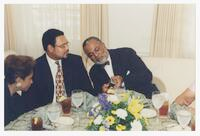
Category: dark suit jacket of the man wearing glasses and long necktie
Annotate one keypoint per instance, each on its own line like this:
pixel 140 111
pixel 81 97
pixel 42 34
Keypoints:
pixel 42 89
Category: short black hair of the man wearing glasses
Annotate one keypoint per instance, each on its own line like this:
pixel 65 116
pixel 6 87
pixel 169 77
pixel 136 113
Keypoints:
pixel 49 37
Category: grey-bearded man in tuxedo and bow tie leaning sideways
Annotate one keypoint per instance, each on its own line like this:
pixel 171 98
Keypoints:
pixel 121 66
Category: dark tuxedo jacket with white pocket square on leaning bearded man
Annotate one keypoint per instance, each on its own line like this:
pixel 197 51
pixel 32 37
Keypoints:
pixel 127 64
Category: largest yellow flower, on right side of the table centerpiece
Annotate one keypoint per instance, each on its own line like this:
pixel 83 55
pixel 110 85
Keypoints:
pixel 135 107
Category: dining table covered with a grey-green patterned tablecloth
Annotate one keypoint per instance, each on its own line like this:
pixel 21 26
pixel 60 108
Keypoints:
pixel 81 120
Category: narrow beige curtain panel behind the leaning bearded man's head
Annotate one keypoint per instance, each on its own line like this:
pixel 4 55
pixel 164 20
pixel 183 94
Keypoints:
pixel 94 22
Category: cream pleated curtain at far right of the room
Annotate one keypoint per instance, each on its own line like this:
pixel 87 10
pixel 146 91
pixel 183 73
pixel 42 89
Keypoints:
pixel 173 33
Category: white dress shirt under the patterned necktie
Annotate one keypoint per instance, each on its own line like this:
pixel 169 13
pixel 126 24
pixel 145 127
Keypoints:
pixel 54 68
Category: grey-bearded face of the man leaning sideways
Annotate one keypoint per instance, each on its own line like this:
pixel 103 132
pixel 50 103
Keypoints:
pixel 96 51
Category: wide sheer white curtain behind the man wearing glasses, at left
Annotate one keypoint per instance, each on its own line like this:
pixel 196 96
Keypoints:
pixel 25 25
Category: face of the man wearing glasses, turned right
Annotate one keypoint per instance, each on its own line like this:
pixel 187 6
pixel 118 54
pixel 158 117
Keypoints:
pixel 60 50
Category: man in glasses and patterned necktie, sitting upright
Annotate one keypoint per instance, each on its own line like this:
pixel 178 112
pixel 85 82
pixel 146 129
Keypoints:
pixel 56 47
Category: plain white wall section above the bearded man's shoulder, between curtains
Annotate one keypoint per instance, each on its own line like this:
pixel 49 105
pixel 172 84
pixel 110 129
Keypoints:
pixel 131 25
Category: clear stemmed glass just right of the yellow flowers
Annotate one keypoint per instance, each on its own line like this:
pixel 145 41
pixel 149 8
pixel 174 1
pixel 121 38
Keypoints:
pixel 157 100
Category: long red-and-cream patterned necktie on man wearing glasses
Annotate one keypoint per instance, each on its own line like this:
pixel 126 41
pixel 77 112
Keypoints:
pixel 59 82
